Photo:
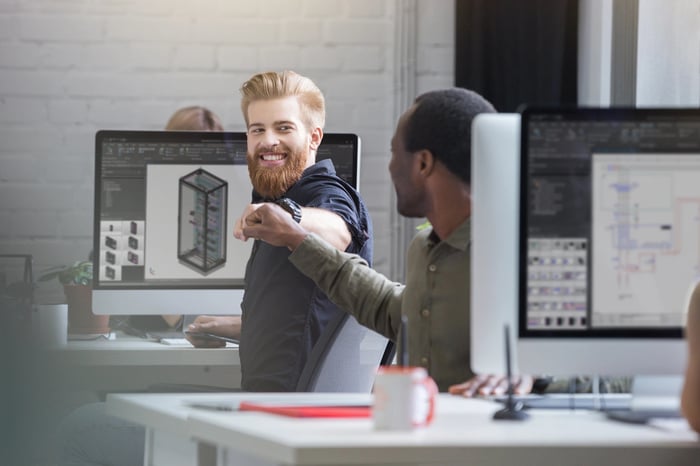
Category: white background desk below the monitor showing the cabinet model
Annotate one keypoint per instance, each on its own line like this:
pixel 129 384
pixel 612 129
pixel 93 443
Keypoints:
pixel 133 364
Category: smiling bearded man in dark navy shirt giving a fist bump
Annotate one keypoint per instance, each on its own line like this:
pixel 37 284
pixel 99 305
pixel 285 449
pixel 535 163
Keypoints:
pixel 283 311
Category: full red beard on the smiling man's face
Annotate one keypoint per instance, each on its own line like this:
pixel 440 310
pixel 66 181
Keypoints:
pixel 273 182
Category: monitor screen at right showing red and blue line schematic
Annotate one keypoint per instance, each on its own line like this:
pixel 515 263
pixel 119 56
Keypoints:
pixel 610 216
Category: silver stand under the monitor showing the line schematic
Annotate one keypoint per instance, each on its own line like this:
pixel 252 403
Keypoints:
pixel 652 397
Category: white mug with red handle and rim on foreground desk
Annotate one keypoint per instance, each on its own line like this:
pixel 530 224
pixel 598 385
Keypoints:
pixel 404 398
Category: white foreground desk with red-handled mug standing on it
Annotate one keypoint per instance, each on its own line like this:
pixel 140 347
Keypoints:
pixel 463 433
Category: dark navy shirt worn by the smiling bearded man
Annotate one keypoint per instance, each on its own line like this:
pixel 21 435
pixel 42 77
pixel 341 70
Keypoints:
pixel 284 313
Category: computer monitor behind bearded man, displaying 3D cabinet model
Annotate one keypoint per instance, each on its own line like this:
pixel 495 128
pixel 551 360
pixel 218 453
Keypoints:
pixel 165 204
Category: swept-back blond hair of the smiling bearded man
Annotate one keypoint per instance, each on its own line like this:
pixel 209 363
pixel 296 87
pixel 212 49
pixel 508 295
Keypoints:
pixel 274 85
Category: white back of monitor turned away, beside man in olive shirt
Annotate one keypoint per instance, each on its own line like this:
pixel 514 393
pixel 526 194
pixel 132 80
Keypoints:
pixel 494 267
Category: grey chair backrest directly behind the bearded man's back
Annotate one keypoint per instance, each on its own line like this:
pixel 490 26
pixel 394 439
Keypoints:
pixel 345 358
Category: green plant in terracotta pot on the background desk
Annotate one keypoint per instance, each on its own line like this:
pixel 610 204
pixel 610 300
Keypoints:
pixel 77 286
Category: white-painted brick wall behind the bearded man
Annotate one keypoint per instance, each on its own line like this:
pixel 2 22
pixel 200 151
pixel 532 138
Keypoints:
pixel 71 67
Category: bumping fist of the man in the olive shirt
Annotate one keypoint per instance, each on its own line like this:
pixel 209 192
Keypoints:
pixel 272 224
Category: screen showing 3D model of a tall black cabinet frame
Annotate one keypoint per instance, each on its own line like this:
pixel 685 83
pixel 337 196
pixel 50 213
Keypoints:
pixel 160 219
